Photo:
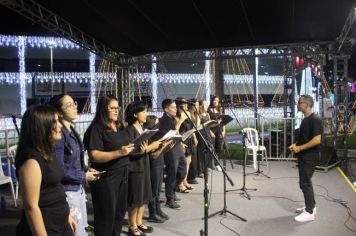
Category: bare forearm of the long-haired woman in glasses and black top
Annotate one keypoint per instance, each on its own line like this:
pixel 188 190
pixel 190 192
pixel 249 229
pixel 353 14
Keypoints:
pixel 103 157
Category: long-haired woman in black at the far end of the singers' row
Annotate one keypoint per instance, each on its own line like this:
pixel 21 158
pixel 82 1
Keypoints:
pixel 215 111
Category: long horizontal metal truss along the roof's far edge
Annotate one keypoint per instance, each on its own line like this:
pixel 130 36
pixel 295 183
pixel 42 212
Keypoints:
pixel 312 49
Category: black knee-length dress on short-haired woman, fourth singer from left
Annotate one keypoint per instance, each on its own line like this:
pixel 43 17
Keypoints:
pixel 140 190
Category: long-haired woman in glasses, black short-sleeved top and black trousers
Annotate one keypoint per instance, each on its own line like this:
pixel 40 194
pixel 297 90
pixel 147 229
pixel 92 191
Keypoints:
pixel 108 147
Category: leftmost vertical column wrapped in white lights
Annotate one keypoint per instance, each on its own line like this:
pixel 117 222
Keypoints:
pixel 22 76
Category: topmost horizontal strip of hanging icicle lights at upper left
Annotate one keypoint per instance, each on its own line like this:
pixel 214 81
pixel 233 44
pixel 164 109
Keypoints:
pixel 37 42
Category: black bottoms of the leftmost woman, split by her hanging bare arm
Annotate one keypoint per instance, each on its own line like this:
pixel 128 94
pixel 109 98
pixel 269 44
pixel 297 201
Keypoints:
pixel 55 219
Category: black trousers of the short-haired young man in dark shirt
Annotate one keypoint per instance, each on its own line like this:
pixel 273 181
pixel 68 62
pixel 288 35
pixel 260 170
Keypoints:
pixel 175 173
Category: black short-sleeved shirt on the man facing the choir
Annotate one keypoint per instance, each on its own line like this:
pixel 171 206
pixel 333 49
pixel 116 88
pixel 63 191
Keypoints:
pixel 310 127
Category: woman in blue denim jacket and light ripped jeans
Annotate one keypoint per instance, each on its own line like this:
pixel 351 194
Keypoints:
pixel 70 155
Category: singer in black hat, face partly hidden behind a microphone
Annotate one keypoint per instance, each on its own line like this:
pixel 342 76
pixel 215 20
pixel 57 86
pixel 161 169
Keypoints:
pixel 184 186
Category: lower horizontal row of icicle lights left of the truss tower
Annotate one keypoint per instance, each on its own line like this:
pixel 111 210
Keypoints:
pixel 67 77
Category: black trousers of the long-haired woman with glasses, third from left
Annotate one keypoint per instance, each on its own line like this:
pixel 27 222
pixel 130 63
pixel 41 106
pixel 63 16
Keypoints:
pixel 109 195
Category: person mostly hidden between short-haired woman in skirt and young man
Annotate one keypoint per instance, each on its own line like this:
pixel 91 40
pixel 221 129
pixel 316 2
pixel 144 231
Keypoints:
pixel 156 215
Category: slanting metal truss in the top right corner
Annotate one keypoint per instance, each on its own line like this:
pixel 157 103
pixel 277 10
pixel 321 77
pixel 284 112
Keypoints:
pixel 347 38
